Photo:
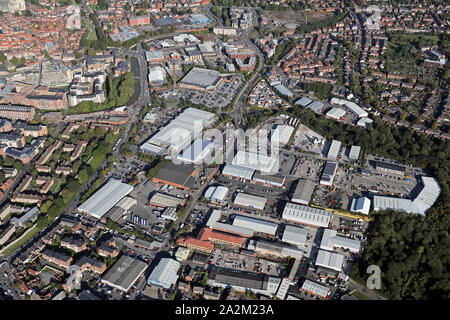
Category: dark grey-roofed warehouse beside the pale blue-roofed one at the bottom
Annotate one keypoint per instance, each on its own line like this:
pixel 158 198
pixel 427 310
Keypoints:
pixel 124 273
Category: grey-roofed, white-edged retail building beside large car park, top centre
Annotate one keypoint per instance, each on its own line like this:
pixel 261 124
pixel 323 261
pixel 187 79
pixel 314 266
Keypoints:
pixel 201 79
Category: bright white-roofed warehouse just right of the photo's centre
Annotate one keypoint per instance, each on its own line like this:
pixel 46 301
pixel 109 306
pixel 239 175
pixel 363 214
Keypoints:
pixel 266 164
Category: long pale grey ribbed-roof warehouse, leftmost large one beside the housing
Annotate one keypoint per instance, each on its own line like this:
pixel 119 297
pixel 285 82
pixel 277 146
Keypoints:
pixel 105 198
